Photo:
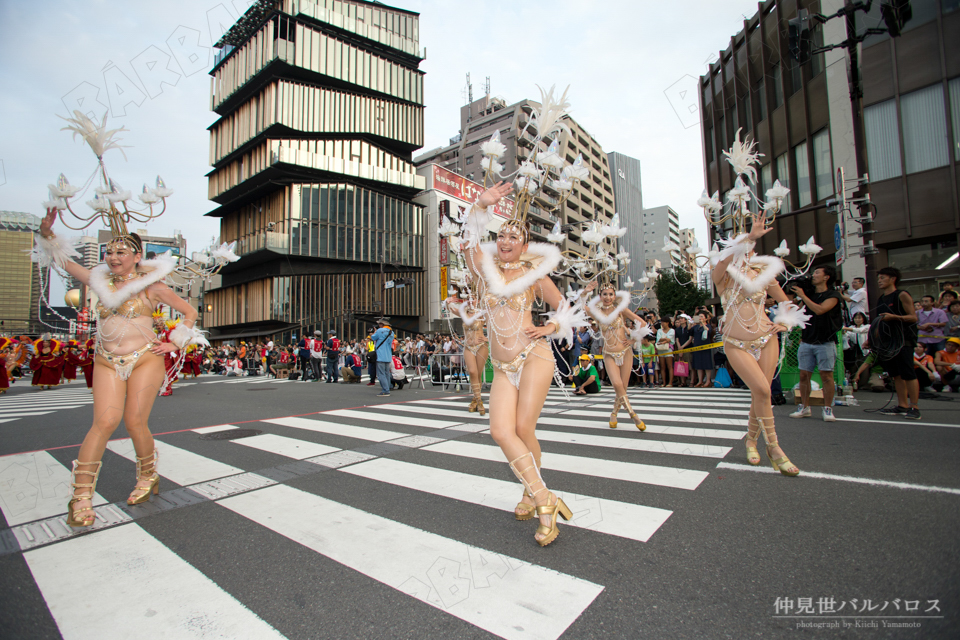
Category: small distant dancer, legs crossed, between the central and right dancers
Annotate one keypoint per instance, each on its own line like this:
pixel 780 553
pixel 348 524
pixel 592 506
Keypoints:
pixel 609 310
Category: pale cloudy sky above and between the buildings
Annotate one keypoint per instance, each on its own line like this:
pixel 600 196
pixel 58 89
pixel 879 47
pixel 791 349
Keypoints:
pixel 632 68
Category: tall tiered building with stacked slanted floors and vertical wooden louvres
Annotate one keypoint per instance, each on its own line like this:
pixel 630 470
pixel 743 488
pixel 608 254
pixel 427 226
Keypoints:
pixel 321 107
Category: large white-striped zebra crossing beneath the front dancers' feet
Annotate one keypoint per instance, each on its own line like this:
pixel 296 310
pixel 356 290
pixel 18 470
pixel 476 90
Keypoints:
pixel 430 449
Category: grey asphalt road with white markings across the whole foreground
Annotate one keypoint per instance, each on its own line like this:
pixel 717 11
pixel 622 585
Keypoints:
pixel 332 523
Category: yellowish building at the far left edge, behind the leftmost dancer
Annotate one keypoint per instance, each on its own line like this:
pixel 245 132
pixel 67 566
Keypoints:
pixel 20 279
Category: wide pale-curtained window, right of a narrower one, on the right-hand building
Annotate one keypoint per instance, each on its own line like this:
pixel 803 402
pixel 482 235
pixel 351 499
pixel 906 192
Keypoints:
pixel 924 129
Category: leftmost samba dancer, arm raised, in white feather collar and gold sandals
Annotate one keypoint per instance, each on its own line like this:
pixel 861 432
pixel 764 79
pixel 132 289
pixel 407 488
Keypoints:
pixel 128 366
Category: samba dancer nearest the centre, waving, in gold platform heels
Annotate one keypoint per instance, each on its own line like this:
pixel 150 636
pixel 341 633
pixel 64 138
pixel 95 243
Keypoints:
pixel 513 274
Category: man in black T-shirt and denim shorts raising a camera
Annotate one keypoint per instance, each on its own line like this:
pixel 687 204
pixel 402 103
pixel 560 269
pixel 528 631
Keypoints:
pixel 818 341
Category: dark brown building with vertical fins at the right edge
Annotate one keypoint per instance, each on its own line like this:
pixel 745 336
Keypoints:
pixel 801 118
